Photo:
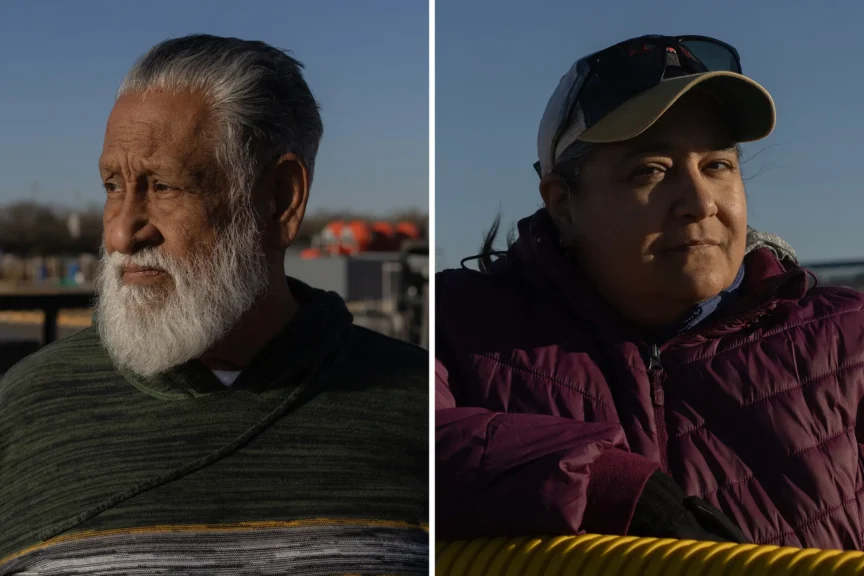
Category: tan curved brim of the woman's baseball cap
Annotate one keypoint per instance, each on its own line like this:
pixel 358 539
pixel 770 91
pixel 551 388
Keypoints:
pixel 749 106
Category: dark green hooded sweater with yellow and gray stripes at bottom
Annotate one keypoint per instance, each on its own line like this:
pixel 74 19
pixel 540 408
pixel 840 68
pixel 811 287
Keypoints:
pixel 314 462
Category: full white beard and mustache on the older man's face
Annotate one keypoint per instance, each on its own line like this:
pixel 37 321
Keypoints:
pixel 150 329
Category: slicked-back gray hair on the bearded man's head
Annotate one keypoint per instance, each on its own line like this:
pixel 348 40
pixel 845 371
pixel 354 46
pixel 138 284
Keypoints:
pixel 261 103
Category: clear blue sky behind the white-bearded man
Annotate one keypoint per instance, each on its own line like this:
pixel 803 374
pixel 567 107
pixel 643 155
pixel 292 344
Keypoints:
pixel 366 62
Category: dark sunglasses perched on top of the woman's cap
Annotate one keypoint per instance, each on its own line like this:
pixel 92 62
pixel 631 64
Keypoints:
pixel 620 72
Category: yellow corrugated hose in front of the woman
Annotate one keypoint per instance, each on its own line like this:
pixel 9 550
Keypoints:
pixel 594 555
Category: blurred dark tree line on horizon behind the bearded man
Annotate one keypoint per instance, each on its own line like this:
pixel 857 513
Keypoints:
pixel 32 229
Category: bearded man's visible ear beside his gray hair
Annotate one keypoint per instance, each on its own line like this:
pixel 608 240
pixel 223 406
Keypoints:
pixel 290 195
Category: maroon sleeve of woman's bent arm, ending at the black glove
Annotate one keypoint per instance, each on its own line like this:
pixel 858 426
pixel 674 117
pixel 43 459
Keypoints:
pixel 502 474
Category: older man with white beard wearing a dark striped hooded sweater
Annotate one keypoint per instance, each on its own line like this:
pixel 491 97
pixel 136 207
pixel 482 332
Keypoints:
pixel 219 418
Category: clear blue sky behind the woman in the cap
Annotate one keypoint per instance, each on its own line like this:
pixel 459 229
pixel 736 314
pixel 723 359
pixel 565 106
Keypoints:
pixel 498 62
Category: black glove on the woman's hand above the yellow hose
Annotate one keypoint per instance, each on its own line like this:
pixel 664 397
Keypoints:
pixel 664 511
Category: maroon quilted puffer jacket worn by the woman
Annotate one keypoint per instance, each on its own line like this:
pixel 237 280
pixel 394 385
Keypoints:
pixel 551 414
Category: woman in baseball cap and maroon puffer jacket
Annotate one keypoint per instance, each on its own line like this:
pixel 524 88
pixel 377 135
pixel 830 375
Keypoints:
pixel 640 361
